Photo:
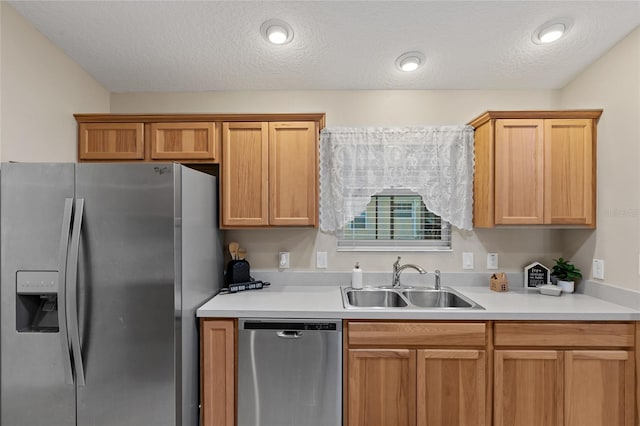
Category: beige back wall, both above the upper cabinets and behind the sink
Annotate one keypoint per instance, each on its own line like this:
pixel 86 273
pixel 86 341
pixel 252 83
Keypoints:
pixel 516 248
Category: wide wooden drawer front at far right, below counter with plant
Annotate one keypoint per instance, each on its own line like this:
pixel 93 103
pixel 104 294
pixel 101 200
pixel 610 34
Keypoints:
pixel 564 334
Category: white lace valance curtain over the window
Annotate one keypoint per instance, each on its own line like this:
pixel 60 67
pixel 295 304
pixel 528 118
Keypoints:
pixel 356 163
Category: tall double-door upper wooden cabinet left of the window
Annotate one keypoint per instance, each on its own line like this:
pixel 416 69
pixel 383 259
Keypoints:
pixel 269 174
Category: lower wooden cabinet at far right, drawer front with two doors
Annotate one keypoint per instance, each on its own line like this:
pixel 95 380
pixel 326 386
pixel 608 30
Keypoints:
pixel 550 383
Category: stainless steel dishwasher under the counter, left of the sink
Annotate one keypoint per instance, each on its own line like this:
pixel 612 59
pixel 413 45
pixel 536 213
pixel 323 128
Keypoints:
pixel 289 372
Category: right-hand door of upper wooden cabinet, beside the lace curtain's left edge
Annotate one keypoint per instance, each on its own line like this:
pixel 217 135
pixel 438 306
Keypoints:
pixel 293 173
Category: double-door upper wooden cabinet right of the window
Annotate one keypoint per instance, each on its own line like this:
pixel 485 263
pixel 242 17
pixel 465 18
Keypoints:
pixel 535 168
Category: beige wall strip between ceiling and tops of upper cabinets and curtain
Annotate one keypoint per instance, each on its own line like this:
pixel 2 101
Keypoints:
pixel 344 108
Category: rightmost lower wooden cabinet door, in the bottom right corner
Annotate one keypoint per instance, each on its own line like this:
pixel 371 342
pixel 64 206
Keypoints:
pixel 599 388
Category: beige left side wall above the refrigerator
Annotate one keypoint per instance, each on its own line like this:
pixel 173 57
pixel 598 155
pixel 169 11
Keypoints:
pixel 41 89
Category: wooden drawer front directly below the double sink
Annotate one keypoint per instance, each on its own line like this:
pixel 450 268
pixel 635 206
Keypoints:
pixel 448 334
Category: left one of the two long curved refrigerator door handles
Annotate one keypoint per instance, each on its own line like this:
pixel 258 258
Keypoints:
pixel 62 276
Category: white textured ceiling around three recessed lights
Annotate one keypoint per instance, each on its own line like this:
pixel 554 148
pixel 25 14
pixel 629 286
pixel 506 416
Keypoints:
pixel 143 46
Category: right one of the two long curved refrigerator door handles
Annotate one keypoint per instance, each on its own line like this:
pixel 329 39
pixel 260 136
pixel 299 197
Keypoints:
pixel 72 293
